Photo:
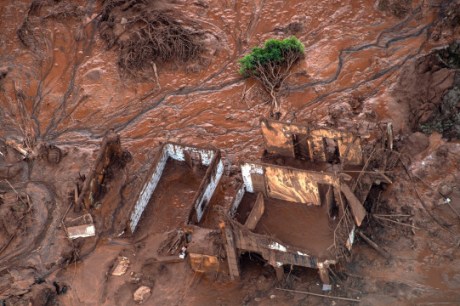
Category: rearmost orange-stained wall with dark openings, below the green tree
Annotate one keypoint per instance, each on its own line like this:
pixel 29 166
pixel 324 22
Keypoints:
pixel 316 144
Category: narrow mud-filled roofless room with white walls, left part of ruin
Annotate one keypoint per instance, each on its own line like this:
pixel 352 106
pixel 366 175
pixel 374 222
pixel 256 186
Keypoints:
pixel 198 170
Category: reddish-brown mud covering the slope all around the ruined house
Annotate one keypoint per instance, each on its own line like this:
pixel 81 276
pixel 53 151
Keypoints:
pixel 63 84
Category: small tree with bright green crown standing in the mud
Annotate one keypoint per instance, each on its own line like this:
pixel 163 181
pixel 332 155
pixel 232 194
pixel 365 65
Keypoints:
pixel 271 64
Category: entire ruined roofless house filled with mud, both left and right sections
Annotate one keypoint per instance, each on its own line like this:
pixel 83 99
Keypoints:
pixel 299 206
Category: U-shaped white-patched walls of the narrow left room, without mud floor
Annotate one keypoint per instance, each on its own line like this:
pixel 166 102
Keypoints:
pixel 206 157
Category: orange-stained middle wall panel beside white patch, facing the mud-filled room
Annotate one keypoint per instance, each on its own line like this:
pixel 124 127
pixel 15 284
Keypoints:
pixel 290 185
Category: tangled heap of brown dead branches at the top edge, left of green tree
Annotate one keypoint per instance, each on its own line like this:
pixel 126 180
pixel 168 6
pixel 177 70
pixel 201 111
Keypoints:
pixel 150 34
